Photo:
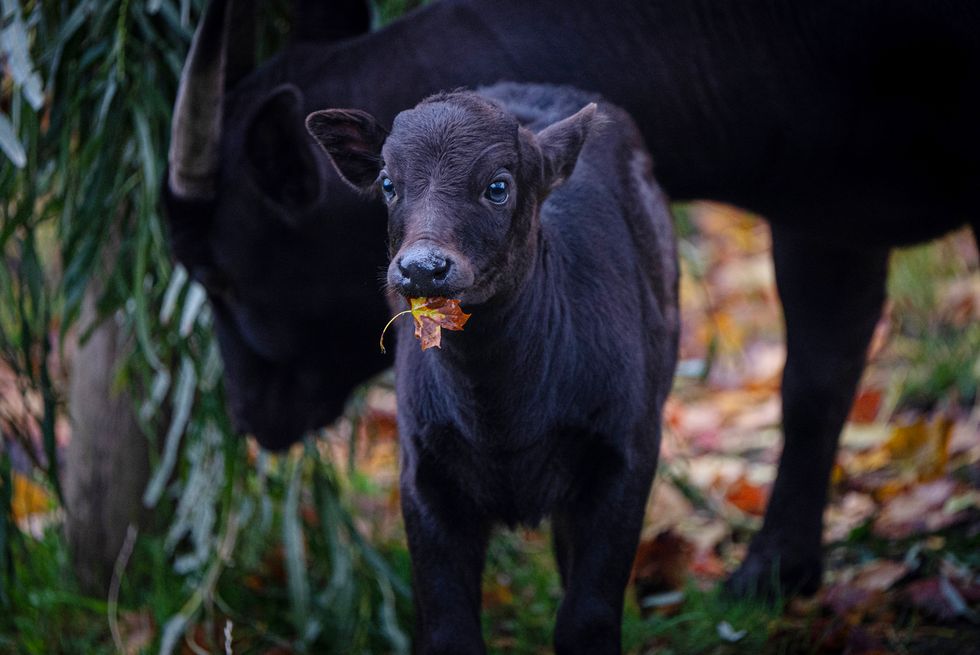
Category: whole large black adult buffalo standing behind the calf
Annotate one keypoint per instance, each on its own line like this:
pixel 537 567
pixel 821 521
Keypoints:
pixel 852 126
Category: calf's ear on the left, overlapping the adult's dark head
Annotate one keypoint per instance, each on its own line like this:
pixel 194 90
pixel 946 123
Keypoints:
pixel 353 139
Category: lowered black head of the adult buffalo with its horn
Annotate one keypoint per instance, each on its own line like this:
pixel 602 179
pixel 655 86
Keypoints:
pixel 246 200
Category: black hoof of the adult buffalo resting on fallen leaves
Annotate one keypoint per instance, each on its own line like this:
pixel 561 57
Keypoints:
pixel 773 577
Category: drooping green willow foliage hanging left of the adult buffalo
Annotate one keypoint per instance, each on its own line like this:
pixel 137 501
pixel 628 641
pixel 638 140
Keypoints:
pixel 85 103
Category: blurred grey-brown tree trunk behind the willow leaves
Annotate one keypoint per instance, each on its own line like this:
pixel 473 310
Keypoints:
pixel 106 464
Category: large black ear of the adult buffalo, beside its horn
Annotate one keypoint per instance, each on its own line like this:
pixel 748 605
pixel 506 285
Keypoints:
pixel 279 152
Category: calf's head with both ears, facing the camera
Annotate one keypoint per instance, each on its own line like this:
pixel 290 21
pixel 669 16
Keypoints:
pixel 463 182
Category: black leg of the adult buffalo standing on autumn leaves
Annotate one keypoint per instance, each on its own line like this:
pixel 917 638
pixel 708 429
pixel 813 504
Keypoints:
pixel 832 297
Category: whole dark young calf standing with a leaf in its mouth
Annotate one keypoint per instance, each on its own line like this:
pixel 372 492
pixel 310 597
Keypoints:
pixel 549 402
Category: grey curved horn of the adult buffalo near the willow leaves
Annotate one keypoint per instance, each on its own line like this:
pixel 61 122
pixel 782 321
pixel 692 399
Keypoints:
pixel 195 133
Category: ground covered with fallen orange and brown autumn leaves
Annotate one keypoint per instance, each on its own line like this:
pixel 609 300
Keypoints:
pixel 902 526
